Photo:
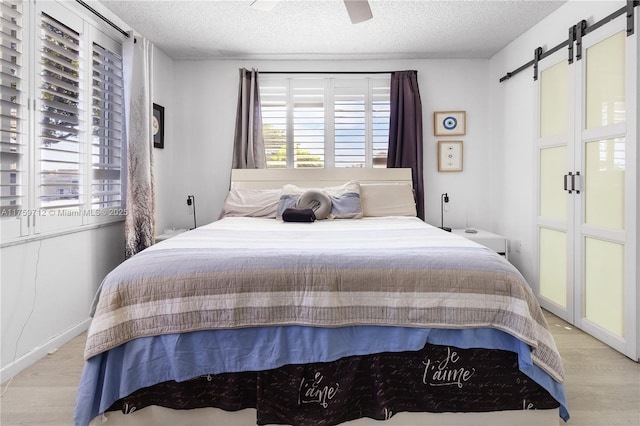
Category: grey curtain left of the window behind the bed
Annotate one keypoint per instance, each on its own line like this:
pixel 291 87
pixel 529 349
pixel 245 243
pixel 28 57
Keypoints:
pixel 248 144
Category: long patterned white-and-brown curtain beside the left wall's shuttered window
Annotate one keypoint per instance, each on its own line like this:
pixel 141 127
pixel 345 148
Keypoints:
pixel 139 224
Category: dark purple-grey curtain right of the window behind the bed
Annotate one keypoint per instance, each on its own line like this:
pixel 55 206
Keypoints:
pixel 405 130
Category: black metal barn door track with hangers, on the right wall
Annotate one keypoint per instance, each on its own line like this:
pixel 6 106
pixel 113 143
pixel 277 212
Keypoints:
pixel 579 30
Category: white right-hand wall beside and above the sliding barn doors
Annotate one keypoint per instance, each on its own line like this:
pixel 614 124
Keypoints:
pixel 513 126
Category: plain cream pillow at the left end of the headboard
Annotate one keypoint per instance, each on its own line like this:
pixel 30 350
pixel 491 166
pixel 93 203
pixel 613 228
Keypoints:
pixel 251 202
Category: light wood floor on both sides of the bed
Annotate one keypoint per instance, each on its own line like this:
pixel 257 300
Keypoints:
pixel 603 387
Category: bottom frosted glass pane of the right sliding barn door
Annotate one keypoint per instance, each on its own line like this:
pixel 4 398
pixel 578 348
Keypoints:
pixel 604 284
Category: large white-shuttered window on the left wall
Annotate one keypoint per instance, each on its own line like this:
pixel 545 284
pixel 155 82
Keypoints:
pixel 62 155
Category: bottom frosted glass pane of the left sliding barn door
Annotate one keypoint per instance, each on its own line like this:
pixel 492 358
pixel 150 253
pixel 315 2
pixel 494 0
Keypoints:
pixel 553 266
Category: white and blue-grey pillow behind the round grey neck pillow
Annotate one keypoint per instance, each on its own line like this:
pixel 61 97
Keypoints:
pixel 345 199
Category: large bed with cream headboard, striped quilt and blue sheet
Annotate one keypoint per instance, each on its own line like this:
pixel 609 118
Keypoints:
pixel 364 314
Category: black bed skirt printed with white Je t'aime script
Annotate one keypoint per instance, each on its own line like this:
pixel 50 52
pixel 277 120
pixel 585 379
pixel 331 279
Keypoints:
pixel 434 379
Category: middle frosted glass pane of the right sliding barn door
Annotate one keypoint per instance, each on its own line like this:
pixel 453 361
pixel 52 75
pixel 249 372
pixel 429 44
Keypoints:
pixel 604 183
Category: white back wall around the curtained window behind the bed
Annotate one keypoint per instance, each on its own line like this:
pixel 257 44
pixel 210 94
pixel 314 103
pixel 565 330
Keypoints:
pixel 205 95
